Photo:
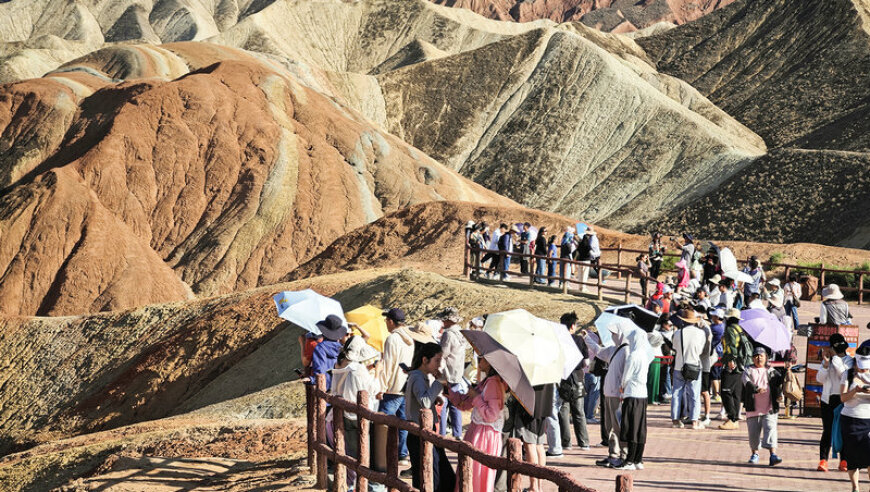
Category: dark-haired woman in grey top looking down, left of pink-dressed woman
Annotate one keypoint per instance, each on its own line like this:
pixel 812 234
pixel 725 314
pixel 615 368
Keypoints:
pixel 423 390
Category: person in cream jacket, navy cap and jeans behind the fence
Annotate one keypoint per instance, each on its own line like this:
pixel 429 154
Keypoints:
pixel 398 350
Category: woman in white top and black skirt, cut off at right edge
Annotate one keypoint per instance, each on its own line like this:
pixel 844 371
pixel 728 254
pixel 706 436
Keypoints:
pixel 855 416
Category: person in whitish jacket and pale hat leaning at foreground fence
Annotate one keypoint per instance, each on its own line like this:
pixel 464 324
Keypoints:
pixel 356 371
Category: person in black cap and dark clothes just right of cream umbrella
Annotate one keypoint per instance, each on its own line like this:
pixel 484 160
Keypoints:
pixel 571 408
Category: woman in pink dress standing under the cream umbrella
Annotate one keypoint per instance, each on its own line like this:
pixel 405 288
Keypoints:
pixel 484 432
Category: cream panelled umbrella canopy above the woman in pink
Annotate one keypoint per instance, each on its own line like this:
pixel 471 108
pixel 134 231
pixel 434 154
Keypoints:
pixel 532 340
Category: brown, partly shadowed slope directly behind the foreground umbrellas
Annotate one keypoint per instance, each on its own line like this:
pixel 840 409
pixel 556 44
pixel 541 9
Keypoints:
pixel 113 369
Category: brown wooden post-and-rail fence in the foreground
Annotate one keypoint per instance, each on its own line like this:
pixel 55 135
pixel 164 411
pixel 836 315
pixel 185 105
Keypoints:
pixel 319 451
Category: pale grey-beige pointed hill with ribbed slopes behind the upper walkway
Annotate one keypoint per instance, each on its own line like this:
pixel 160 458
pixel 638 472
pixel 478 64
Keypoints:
pixel 556 122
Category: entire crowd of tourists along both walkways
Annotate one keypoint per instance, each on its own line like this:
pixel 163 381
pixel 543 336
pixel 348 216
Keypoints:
pixel 697 349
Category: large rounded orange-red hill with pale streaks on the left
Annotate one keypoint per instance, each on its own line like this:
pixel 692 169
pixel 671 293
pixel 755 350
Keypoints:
pixel 220 180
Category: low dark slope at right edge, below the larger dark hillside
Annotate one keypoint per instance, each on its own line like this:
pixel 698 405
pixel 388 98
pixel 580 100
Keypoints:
pixel 820 196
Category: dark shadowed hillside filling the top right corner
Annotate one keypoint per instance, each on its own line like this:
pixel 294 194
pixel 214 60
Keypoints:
pixel 795 71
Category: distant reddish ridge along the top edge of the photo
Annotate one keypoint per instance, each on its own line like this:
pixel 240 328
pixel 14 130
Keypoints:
pixel 607 15
